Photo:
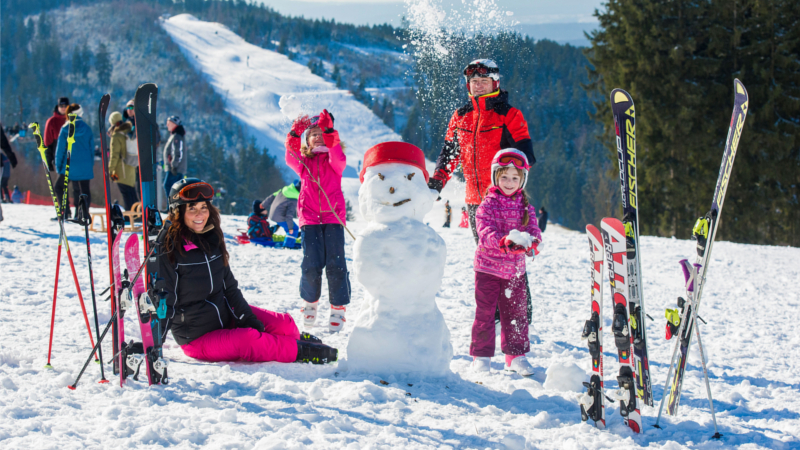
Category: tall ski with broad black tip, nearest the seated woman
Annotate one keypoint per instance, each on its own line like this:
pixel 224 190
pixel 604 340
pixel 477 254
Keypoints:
pixel 151 305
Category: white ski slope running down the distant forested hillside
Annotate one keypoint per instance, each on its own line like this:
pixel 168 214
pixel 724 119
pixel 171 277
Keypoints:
pixel 251 80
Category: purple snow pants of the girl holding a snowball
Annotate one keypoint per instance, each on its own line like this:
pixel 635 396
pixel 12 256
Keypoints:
pixel 509 295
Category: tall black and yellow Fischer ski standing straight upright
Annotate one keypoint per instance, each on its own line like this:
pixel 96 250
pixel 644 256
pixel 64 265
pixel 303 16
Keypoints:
pixel 625 127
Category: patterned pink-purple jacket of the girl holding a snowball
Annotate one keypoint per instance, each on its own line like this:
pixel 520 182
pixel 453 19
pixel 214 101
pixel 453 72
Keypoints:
pixel 497 215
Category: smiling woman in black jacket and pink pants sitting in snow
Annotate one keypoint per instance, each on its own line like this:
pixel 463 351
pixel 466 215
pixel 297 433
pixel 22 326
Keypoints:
pixel 208 316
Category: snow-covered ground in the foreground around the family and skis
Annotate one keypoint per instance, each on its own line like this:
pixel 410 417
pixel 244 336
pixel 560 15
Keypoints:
pixel 751 303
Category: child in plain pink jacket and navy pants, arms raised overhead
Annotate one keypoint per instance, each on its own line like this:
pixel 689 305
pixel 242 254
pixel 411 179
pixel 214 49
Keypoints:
pixel 314 152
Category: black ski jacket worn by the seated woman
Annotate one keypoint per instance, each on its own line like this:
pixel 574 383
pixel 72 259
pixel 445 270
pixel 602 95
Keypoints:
pixel 203 294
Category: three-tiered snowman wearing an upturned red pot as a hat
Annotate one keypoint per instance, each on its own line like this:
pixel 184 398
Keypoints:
pixel 400 261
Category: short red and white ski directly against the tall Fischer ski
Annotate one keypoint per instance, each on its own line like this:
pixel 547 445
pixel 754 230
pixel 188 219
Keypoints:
pixel 615 247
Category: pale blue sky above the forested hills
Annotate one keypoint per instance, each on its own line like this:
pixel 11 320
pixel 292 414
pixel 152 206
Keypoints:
pixel 560 20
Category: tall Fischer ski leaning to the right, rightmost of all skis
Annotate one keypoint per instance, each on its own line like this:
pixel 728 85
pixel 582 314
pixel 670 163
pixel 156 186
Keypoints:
pixel 704 232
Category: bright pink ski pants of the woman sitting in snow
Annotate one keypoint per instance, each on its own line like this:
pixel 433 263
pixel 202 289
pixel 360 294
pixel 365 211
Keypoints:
pixel 278 342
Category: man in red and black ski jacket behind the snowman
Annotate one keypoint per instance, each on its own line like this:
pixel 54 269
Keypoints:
pixel 478 130
